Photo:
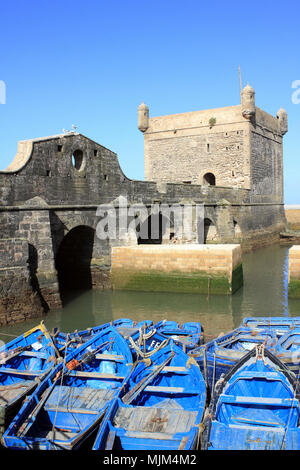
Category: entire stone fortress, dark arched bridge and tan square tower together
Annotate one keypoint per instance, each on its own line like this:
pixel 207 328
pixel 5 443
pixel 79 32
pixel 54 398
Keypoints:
pixel 228 159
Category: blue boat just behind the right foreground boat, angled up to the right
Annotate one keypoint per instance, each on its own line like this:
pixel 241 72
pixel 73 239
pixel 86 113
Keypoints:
pixel 219 355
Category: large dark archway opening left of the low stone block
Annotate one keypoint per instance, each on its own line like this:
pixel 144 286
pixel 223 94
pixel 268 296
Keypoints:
pixel 73 262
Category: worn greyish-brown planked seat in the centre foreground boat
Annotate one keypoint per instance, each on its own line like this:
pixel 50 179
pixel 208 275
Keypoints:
pixel 145 419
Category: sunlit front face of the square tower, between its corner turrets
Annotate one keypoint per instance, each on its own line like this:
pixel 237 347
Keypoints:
pixel 184 147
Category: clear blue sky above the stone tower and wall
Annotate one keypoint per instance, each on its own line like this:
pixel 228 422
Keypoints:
pixel 91 63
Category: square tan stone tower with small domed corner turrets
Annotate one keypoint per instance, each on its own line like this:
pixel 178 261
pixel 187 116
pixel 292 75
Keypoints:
pixel 237 146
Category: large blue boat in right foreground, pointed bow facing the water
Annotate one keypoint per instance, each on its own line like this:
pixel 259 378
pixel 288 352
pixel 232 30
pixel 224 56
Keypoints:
pixel 254 407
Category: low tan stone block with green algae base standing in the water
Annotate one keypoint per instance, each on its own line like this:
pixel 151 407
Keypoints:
pixel 215 269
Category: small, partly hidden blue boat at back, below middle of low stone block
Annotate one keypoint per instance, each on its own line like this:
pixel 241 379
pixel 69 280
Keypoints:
pixel 189 334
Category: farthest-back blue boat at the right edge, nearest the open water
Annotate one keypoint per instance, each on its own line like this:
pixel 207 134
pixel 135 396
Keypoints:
pixel 280 325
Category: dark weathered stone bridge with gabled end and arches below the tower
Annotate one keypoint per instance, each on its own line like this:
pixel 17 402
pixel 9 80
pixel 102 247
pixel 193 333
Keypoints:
pixel 49 197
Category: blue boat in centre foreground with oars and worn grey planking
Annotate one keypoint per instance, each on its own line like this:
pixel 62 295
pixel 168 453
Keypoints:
pixel 163 406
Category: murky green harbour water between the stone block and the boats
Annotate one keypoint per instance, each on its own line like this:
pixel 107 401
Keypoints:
pixel 264 294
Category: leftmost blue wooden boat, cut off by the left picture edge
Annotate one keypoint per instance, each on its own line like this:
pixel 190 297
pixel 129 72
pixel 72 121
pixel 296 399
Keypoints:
pixel 24 361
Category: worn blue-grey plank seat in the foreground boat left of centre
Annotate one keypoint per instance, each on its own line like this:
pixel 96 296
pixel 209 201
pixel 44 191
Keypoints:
pixel 78 399
